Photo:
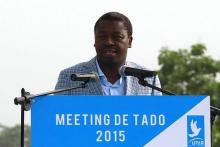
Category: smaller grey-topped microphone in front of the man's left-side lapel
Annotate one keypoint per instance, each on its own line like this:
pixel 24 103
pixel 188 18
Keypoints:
pixel 85 77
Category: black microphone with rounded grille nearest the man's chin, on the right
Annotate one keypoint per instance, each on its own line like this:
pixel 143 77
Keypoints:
pixel 135 72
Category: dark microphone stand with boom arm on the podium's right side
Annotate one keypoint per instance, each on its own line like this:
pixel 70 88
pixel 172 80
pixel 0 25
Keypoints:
pixel 213 110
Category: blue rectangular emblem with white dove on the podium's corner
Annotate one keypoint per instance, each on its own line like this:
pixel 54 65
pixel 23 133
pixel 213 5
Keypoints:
pixel 195 131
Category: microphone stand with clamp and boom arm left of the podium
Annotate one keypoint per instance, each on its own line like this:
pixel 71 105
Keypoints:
pixel 26 99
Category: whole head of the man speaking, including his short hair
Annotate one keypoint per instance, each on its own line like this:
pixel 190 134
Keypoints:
pixel 113 36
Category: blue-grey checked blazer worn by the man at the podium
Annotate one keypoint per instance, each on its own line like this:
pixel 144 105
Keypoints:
pixel 94 88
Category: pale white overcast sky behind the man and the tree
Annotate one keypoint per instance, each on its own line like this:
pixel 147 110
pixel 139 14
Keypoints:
pixel 39 38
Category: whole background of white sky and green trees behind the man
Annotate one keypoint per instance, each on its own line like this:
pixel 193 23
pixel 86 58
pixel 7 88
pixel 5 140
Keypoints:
pixel 39 38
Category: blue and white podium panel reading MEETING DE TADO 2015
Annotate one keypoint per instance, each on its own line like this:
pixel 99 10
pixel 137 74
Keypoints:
pixel 120 121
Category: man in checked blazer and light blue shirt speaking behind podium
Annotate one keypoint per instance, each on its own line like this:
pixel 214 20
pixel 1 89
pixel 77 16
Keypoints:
pixel 113 37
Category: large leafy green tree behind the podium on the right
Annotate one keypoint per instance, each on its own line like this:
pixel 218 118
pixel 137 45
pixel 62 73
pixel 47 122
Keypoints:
pixel 192 72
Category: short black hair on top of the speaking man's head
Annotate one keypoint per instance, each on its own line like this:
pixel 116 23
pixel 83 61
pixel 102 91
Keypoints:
pixel 115 16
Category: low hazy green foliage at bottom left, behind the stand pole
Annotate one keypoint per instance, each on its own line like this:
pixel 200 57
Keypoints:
pixel 10 136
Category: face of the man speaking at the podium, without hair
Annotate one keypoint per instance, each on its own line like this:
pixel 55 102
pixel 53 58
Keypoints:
pixel 111 42
